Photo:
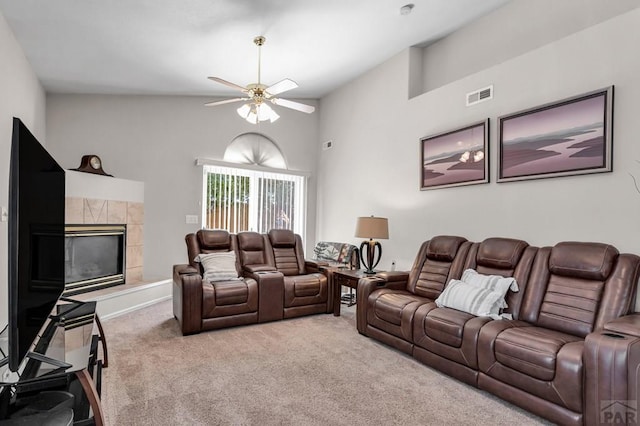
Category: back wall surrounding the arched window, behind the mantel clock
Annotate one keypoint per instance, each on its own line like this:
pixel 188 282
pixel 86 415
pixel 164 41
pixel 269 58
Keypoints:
pixel 156 140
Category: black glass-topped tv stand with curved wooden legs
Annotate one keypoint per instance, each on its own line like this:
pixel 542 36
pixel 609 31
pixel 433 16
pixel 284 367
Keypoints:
pixel 67 357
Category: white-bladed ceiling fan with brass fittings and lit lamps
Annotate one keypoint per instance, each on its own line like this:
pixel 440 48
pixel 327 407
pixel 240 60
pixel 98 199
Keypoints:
pixel 259 95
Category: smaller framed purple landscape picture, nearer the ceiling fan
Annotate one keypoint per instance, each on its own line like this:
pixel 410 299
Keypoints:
pixel 456 158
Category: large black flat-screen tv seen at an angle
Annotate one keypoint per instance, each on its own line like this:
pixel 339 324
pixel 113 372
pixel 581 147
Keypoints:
pixel 36 240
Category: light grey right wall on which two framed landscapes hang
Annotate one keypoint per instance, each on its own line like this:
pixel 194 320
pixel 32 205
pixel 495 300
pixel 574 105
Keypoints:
pixel 376 132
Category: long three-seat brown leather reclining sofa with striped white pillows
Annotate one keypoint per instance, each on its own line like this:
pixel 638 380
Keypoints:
pixel 570 354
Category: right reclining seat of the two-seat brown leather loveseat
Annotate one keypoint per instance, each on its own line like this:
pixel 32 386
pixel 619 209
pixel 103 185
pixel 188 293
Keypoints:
pixel 306 289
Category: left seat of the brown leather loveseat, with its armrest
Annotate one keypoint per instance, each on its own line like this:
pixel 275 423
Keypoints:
pixel 200 305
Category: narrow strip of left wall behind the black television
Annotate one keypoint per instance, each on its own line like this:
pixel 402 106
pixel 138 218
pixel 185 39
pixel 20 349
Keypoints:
pixel 22 96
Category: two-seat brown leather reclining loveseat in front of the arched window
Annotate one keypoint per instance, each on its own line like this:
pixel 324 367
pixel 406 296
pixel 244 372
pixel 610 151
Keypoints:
pixel 271 281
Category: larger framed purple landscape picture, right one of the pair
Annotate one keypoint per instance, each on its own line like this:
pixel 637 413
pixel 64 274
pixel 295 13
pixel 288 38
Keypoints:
pixel 573 136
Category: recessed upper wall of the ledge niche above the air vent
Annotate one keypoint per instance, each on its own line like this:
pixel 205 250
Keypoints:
pixel 512 30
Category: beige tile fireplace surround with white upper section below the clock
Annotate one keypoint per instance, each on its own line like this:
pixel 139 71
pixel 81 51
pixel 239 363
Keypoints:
pixel 100 200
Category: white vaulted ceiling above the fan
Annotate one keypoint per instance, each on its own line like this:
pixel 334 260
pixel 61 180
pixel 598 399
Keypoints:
pixel 171 46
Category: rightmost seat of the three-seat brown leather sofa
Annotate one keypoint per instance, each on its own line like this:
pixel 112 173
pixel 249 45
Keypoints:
pixel 538 360
